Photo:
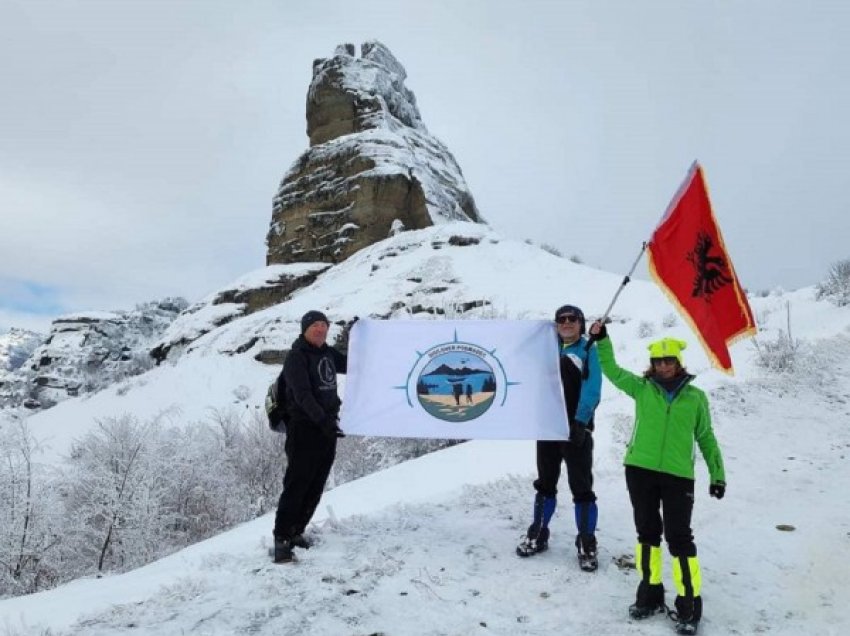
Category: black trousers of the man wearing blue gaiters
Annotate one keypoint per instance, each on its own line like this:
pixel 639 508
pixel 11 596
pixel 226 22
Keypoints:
pixel 579 468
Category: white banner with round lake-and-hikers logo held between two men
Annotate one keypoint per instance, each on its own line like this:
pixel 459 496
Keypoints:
pixel 454 379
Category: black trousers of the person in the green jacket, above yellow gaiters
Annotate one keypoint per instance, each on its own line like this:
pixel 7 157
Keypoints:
pixel 662 503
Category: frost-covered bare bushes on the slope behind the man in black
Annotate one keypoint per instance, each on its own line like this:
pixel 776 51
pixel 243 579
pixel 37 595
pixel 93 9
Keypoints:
pixel 134 491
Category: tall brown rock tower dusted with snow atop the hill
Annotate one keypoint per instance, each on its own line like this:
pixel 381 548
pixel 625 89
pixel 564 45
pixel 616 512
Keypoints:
pixel 372 167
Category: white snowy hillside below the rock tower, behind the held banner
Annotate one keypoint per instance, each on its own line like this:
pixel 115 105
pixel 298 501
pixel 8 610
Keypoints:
pixel 403 276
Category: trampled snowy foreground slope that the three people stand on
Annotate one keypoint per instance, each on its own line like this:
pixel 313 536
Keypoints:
pixel 426 547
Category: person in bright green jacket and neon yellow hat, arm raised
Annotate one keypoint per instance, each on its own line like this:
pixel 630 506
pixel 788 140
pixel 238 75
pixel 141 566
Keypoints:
pixel 671 415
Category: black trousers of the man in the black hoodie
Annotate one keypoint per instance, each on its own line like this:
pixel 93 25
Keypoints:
pixel 308 466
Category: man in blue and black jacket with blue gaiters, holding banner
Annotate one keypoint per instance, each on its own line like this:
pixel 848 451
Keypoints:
pixel 582 382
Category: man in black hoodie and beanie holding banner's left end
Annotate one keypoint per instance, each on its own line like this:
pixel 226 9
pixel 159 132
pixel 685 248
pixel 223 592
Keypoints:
pixel 313 406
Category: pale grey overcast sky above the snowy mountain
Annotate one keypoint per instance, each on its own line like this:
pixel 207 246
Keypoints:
pixel 141 143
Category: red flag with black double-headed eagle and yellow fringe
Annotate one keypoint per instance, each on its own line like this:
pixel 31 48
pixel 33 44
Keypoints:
pixel 689 261
